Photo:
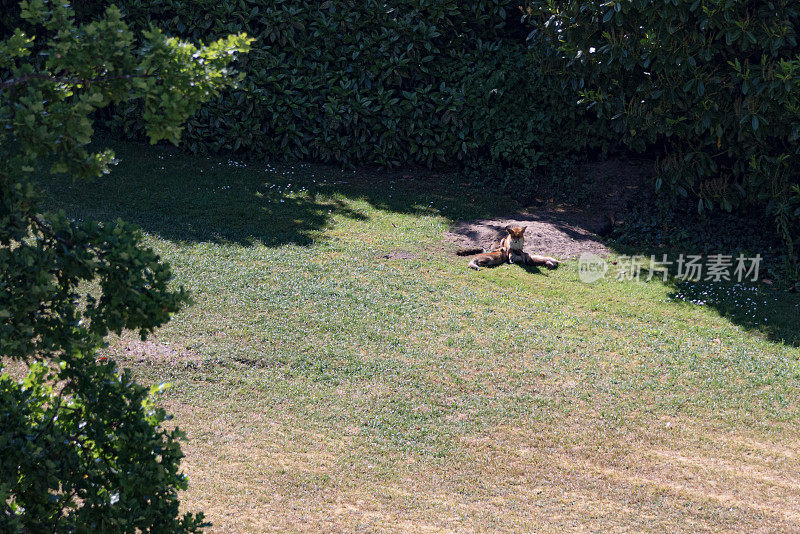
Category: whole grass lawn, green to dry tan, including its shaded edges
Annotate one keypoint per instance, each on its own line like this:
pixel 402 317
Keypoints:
pixel 327 387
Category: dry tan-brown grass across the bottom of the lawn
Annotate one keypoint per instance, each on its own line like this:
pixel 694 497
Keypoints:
pixel 575 475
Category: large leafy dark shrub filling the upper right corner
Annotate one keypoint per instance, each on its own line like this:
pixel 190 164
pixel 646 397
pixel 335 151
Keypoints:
pixel 713 86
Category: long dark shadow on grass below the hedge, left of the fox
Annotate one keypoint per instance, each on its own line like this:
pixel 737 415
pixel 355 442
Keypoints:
pixel 185 198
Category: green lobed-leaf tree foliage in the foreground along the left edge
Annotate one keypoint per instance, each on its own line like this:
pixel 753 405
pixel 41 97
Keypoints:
pixel 81 446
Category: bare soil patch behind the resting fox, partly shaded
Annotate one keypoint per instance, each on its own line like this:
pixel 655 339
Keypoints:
pixel 565 230
